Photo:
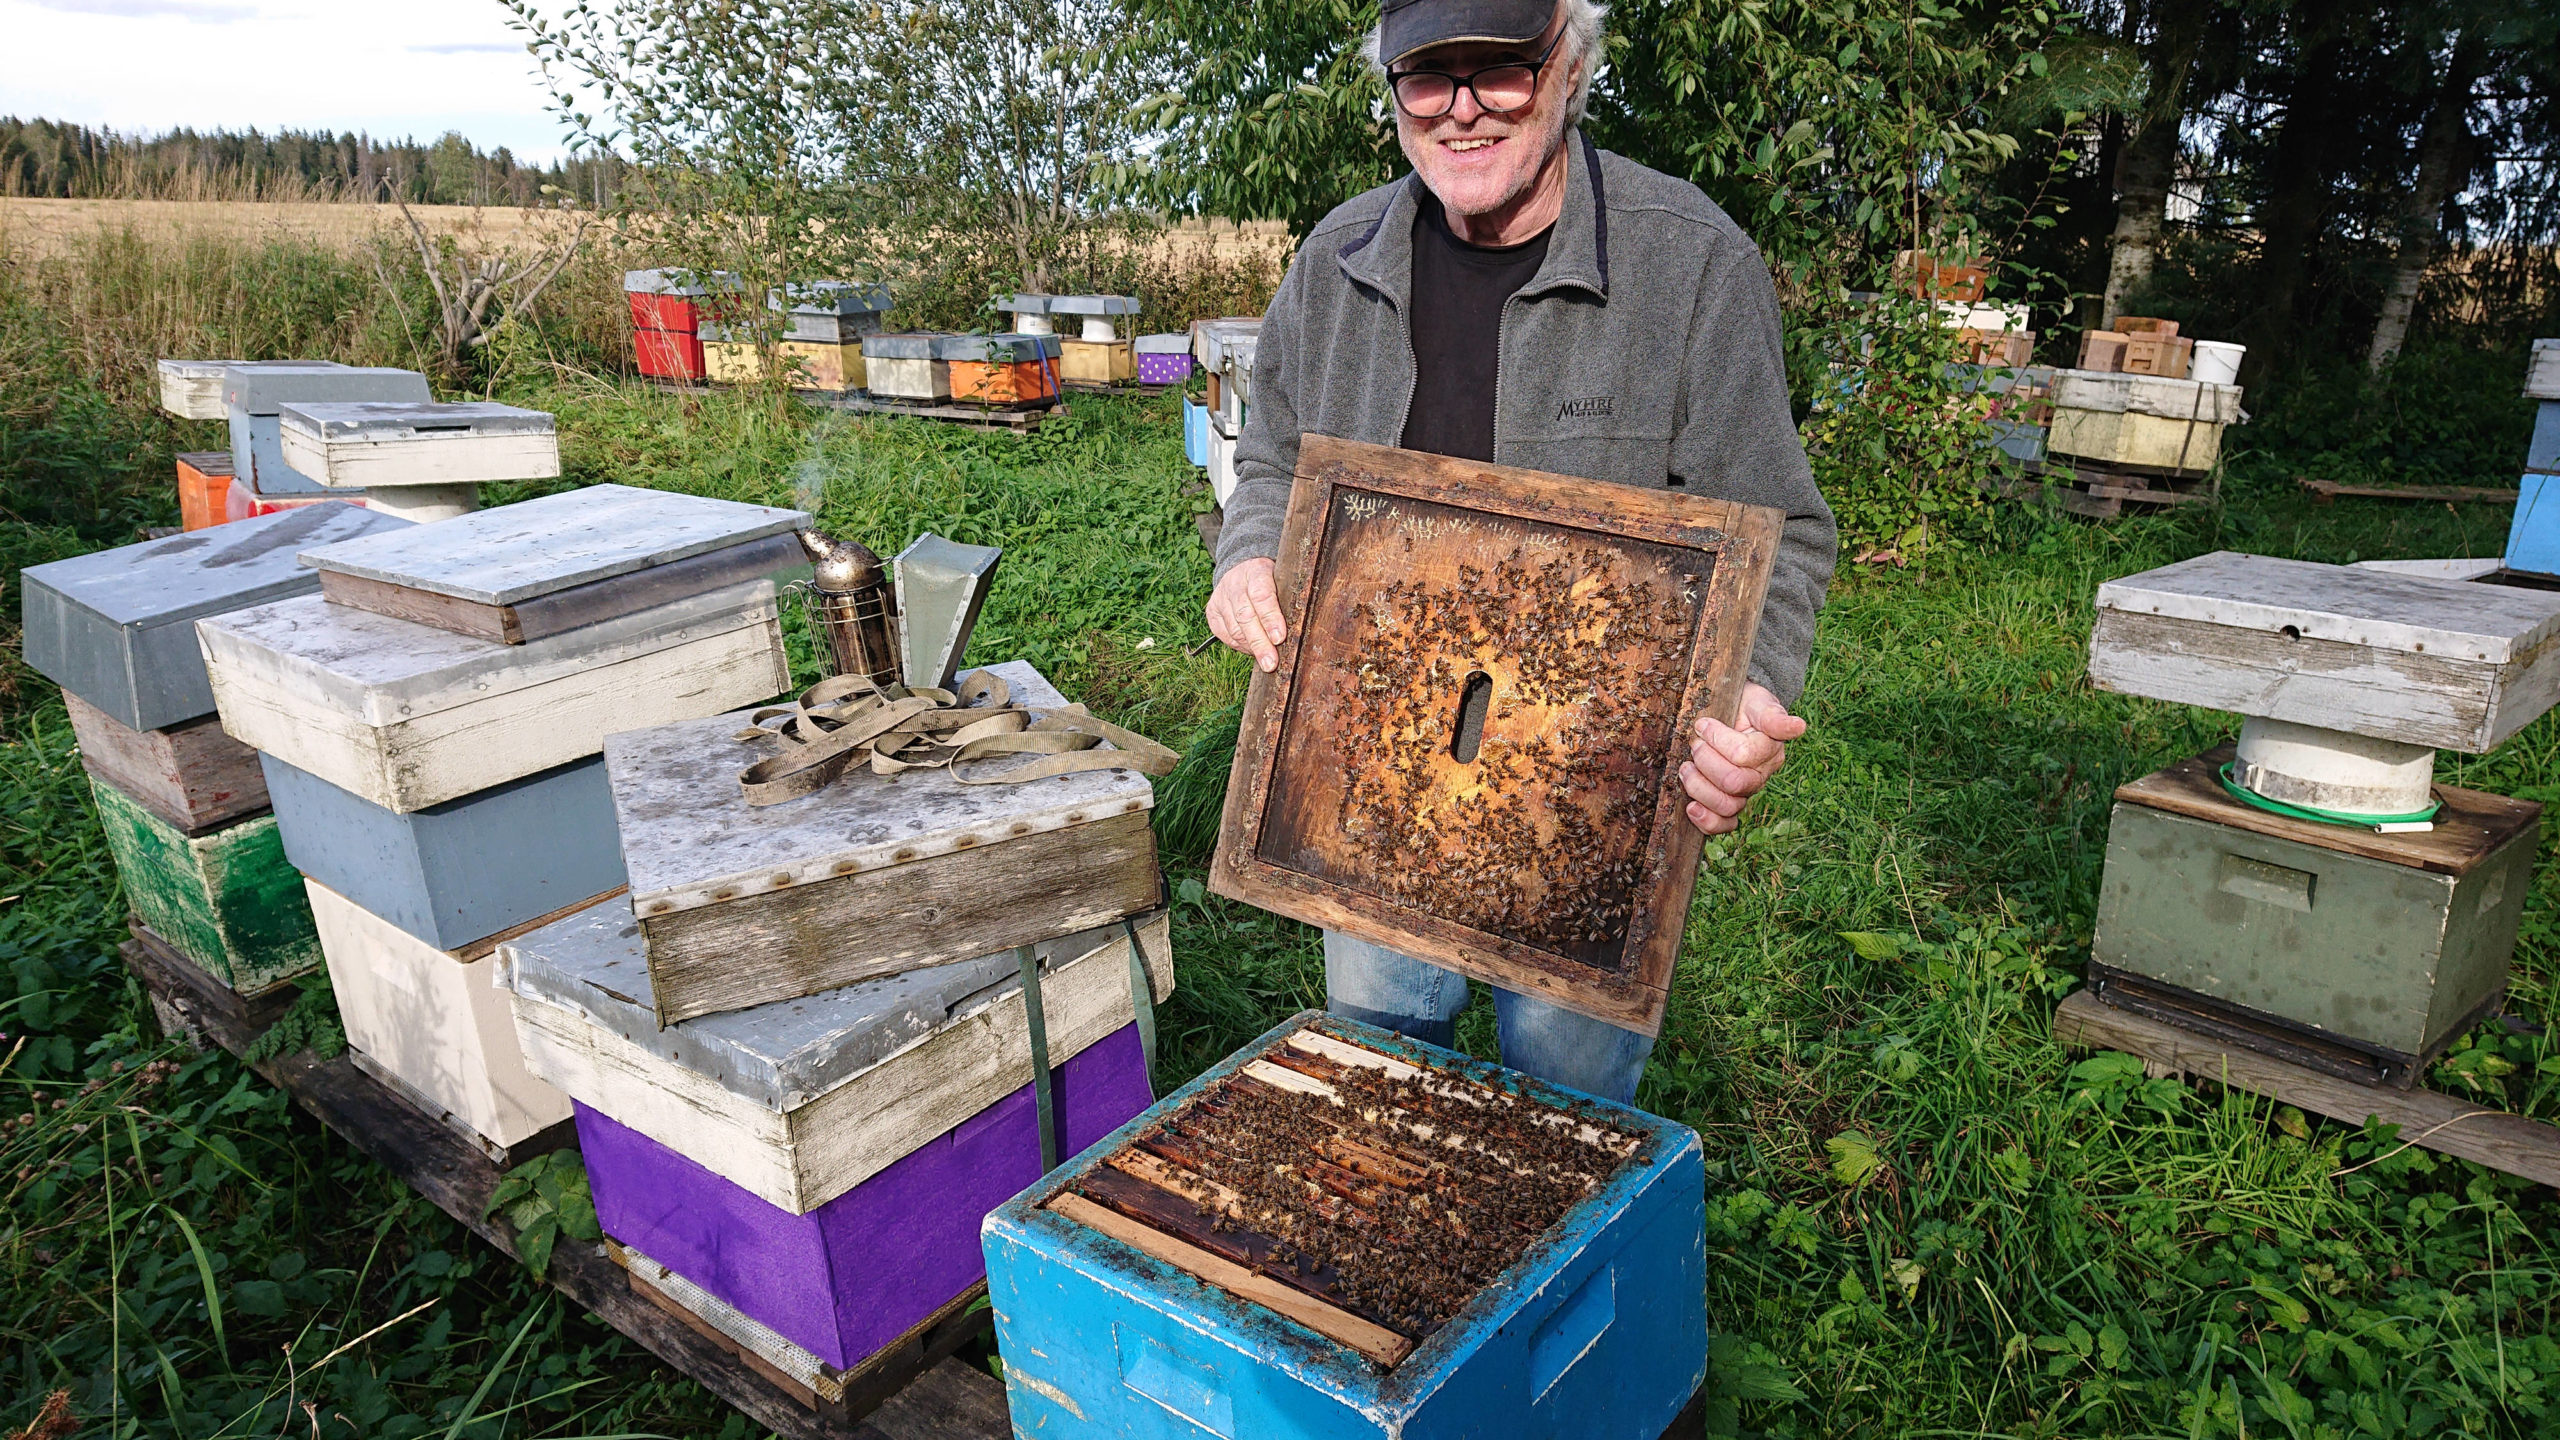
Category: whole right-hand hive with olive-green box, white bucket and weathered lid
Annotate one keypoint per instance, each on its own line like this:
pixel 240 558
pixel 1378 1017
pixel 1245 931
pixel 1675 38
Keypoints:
pixel 2310 890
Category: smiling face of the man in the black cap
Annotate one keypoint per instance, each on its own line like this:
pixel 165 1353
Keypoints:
pixel 1473 160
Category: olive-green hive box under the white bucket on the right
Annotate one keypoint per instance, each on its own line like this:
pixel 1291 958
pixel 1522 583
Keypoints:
pixel 2333 944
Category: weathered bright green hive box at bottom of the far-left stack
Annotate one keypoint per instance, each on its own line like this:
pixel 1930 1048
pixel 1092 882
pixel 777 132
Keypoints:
pixel 224 901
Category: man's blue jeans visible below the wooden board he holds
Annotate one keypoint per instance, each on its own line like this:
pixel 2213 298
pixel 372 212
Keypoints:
pixel 1422 1001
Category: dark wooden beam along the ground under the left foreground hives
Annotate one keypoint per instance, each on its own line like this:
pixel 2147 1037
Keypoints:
pixel 910 1393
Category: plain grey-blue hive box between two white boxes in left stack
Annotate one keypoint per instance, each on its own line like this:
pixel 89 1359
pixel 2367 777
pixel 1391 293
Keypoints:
pixel 467 870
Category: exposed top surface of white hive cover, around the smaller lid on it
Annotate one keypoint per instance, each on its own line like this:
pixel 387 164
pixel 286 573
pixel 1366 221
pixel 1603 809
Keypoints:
pixel 383 670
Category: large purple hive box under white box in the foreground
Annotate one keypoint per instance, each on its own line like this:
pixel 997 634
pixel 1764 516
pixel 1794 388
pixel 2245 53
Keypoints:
pixel 872 1264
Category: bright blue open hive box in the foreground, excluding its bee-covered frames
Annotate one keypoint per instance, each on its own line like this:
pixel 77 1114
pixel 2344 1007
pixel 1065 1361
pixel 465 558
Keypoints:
pixel 1596 1331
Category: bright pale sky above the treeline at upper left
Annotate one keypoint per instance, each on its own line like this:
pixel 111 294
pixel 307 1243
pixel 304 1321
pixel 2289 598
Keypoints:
pixel 393 68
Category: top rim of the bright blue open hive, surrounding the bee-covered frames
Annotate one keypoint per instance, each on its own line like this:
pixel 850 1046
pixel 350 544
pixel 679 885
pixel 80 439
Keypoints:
pixel 1663 1147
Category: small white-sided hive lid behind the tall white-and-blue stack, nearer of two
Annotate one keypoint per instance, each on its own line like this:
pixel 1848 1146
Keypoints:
pixel 421 462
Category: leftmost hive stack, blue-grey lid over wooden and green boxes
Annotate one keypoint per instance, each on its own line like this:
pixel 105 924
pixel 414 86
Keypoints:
pixel 186 808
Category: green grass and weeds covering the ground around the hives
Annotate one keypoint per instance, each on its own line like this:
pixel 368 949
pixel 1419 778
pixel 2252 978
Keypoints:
pixel 1924 1216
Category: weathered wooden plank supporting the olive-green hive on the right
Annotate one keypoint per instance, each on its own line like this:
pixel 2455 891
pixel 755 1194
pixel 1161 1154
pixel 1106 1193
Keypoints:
pixel 2426 1118
